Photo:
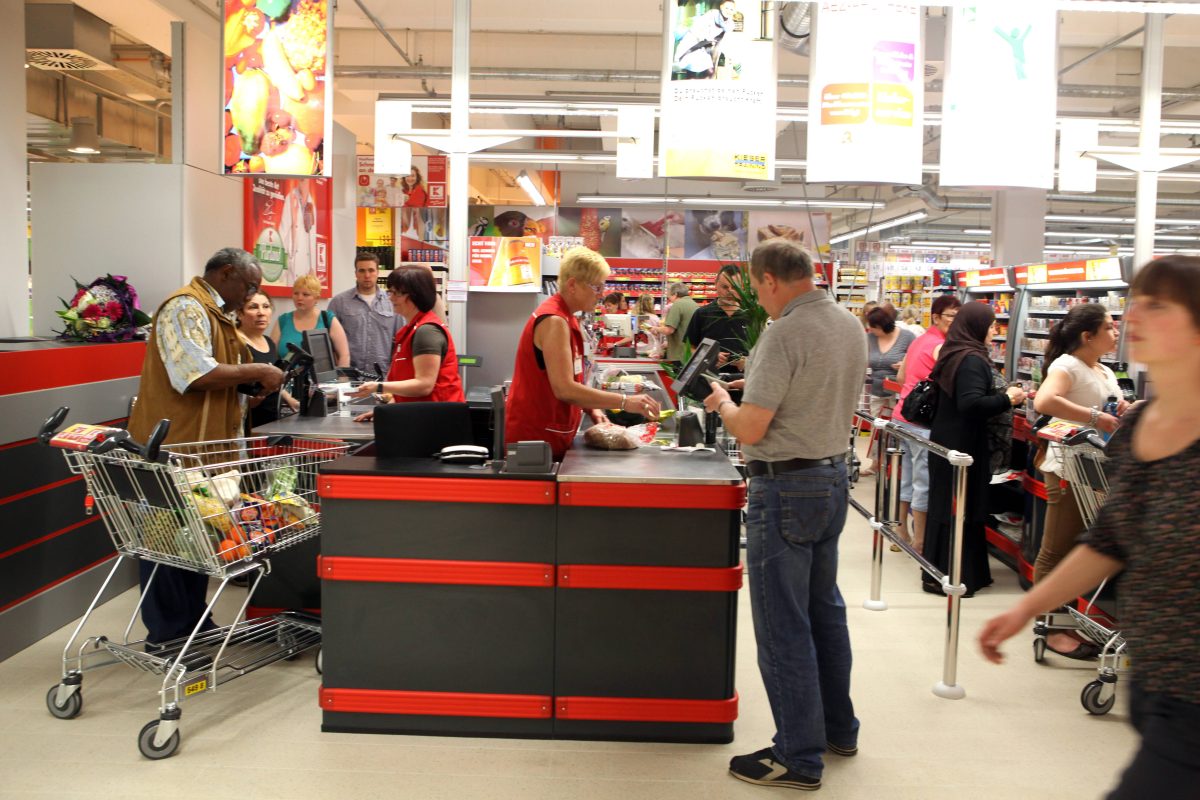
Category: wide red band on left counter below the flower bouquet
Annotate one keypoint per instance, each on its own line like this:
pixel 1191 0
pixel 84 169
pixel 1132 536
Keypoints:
pixel 31 371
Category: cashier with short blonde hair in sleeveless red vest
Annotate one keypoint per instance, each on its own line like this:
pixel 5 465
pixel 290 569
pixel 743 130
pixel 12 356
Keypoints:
pixel 549 394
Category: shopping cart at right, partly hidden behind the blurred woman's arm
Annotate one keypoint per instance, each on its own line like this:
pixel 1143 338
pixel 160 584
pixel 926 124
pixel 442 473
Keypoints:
pixel 1083 466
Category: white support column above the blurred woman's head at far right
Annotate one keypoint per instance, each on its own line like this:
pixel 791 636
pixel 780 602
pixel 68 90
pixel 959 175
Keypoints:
pixel 1147 204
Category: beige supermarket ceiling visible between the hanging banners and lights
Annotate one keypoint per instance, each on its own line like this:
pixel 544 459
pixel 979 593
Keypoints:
pixel 550 51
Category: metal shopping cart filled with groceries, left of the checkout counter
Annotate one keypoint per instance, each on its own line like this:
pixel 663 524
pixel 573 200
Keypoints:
pixel 215 508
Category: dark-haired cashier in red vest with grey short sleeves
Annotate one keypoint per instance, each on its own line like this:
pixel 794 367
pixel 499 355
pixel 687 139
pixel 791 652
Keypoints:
pixel 424 365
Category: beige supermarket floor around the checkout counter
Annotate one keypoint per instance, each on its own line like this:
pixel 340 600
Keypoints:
pixel 1021 733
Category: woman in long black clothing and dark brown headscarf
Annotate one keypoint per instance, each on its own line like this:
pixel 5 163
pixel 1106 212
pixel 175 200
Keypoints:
pixel 967 400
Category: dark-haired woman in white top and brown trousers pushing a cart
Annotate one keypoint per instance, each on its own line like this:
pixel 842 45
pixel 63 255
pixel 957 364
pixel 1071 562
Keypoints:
pixel 1077 387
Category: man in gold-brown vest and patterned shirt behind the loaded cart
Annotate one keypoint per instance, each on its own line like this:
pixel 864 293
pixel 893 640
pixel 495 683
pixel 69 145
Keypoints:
pixel 194 364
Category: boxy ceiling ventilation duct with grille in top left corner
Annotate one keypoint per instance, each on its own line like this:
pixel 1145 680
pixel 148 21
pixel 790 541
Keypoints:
pixel 65 38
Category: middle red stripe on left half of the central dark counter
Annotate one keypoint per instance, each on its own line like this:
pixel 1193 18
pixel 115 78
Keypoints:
pixel 472 574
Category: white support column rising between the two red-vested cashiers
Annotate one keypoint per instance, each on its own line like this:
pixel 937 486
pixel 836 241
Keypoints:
pixel 460 165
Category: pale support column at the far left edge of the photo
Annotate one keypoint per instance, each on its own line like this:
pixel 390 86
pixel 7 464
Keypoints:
pixel 14 243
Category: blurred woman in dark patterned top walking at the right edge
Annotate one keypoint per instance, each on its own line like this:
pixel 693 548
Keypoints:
pixel 1150 533
